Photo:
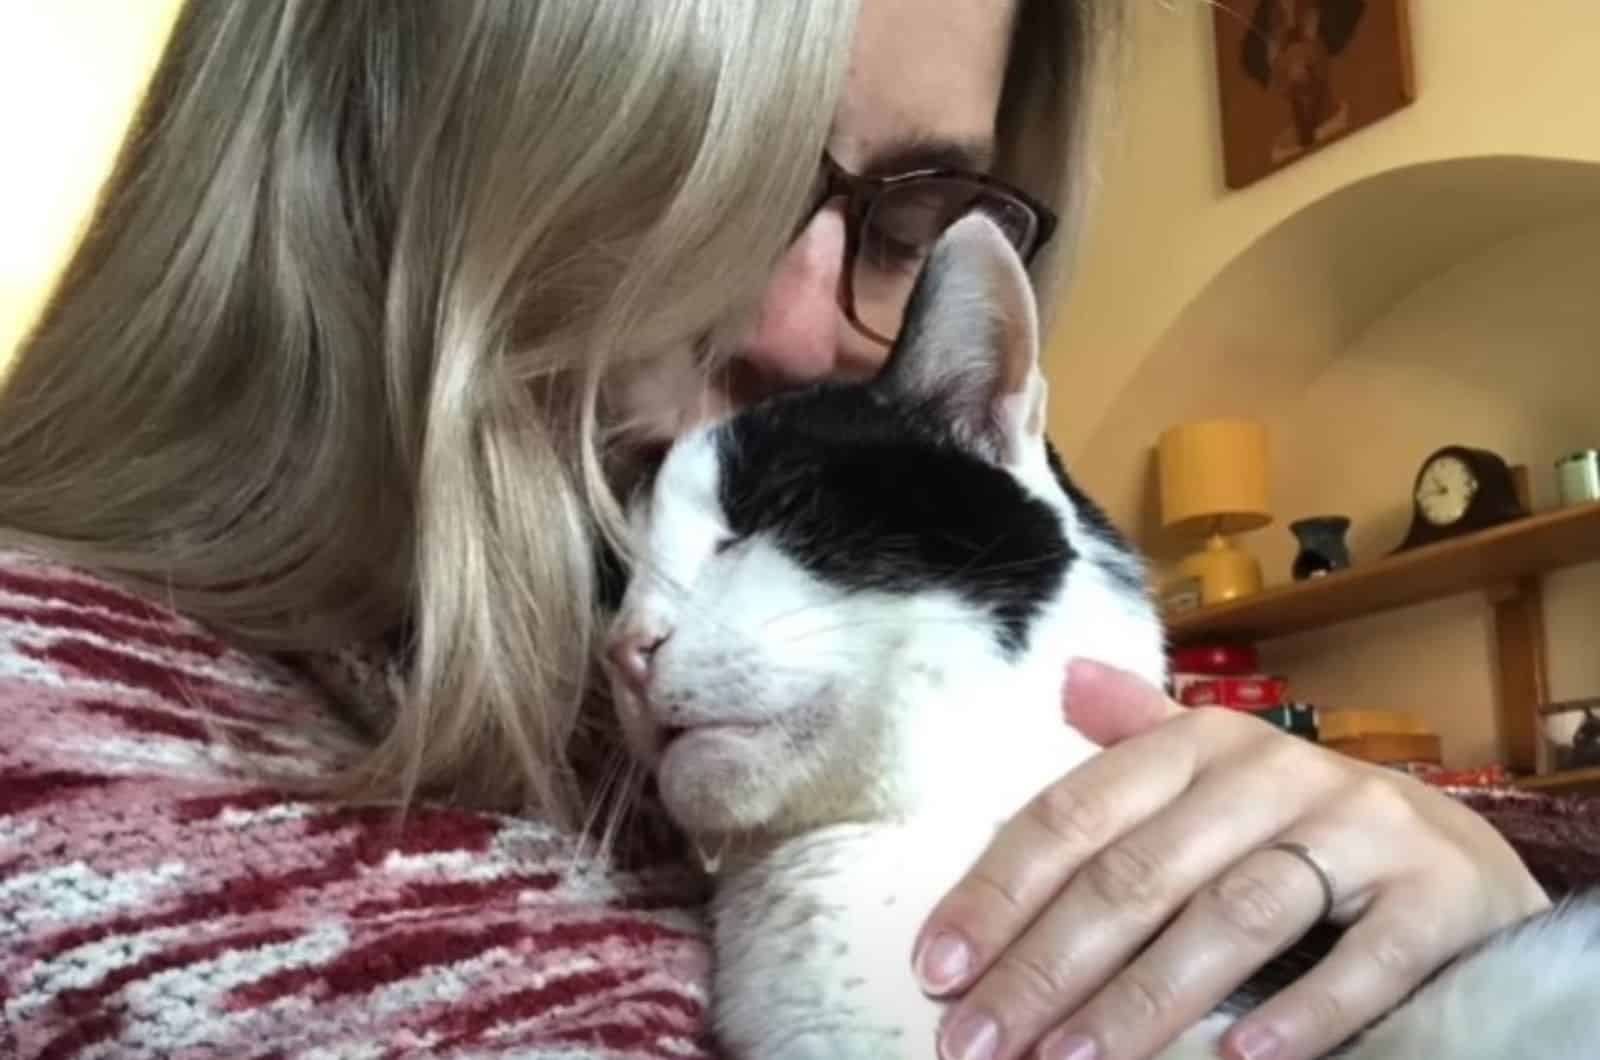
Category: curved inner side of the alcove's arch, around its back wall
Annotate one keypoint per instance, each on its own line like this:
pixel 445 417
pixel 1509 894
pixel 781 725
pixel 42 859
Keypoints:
pixel 1274 318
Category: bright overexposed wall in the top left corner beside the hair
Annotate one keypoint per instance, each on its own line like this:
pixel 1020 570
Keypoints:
pixel 71 73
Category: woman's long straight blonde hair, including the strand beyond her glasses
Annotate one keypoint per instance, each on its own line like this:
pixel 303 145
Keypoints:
pixel 330 355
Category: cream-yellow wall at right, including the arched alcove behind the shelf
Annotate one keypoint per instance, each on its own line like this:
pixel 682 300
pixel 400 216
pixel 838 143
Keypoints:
pixel 1426 281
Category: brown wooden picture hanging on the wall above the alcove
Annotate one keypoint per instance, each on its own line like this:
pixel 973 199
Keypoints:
pixel 1295 76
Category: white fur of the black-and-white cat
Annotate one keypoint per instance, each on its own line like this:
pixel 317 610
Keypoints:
pixel 852 753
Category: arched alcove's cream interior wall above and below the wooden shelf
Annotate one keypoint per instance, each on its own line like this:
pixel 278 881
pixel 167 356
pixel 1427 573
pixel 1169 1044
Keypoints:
pixel 1452 302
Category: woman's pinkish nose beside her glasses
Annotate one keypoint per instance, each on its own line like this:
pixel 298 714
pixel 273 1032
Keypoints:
pixel 798 331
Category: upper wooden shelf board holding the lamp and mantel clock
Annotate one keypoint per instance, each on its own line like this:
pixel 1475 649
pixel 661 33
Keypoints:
pixel 1482 561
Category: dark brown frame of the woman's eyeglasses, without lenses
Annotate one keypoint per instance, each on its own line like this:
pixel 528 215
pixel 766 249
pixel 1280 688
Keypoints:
pixel 862 196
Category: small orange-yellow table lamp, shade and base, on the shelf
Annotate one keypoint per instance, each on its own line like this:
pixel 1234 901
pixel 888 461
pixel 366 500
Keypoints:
pixel 1215 483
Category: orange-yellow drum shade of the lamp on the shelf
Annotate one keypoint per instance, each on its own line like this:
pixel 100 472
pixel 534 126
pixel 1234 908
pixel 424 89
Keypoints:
pixel 1215 476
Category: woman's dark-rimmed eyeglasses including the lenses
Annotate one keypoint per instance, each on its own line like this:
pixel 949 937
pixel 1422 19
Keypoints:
pixel 892 225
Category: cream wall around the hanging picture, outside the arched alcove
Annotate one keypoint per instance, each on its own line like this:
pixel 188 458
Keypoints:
pixel 1492 81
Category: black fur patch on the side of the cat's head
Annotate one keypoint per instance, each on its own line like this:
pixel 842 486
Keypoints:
pixel 866 494
